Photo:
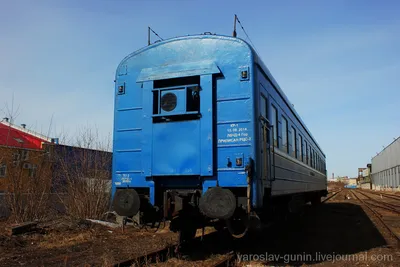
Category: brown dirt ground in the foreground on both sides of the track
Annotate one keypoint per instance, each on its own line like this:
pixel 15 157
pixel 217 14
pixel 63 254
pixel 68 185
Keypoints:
pixel 337 233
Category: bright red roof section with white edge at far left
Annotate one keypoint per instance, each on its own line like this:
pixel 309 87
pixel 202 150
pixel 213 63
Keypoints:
pixel 15 136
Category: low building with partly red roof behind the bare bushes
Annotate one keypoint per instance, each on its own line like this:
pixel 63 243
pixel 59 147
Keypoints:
pixel 25 155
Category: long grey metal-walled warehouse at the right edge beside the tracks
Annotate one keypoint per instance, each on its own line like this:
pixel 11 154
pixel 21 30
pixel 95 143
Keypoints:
pixel 385 168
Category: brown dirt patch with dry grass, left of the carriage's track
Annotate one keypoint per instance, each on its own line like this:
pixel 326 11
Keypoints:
pixel 62 243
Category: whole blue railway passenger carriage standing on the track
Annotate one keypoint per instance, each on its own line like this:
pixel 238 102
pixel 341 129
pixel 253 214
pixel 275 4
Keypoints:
pixel 204 135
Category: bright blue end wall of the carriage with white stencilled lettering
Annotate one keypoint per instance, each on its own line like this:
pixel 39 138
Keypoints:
pixel 150 150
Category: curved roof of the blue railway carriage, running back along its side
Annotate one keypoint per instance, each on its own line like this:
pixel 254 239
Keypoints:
pixel 257 60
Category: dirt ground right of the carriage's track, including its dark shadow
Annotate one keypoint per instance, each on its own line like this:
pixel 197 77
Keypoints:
pixel 337 233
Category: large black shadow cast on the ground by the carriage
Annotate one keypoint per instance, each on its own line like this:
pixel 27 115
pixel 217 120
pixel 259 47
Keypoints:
pixel 330 229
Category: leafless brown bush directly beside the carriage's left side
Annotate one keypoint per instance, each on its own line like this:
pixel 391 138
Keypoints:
pixel 83 176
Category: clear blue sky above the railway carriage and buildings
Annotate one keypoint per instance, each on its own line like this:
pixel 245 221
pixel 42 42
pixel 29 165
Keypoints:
pixel 337 61
